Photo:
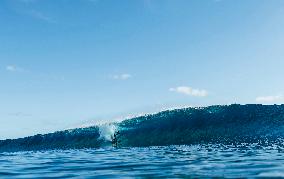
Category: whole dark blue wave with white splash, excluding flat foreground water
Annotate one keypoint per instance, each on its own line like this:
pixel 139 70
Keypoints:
pixel 233 124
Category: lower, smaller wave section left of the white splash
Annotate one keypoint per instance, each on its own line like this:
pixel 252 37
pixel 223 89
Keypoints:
pixel 68 139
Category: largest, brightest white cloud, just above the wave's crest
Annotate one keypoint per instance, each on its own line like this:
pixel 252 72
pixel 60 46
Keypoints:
pixel 189 91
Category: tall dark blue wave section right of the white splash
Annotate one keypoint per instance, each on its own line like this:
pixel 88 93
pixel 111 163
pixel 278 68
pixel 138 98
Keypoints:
pixel 234 124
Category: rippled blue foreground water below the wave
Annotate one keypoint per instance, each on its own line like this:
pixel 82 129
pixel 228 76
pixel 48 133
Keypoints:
pixel 247 160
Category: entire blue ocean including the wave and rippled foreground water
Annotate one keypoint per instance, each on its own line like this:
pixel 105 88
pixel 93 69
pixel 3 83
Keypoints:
pixel 235 141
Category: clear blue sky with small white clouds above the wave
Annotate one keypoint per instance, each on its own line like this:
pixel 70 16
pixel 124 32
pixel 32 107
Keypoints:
pixel 73 63
